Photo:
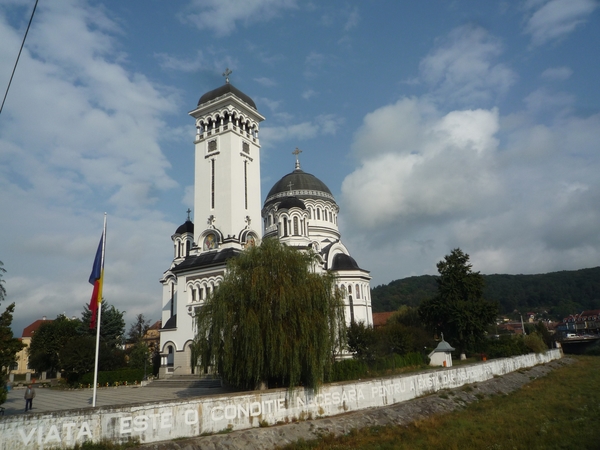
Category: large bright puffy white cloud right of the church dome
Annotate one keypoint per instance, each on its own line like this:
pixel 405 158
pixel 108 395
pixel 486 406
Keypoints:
pixel 436 170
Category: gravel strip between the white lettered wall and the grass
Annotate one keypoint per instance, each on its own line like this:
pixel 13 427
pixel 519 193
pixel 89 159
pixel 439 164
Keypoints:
pixel 399 414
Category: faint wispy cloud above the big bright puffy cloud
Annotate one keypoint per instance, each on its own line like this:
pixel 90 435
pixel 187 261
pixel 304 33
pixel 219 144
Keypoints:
pixel 462 69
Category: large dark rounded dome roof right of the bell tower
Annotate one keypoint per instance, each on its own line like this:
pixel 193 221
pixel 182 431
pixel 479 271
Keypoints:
pixel 299 184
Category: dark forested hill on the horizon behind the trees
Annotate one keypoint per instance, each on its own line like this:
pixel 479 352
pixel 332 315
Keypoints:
pixel 559 293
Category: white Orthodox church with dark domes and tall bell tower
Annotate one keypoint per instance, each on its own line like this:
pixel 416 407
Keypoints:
pixel 299 210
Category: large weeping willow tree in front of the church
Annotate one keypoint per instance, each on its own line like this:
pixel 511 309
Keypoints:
pixel 272 320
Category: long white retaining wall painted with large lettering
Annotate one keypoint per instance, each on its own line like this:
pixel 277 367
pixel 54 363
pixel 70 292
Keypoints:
pixel 151 422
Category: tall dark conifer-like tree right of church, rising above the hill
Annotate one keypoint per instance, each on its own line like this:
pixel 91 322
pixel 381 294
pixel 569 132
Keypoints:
pixel 459 309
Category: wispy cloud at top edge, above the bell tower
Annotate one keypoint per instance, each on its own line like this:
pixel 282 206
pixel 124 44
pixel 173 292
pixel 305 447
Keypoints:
pixel 223 17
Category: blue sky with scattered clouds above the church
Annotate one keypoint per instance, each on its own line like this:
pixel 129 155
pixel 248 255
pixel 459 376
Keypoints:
pixel 435 124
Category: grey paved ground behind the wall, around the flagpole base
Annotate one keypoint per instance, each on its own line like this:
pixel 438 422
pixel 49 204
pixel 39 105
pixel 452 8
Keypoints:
pixel 56 400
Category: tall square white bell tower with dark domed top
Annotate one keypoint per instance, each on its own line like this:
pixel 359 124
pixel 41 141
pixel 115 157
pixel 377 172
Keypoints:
pixel 227 200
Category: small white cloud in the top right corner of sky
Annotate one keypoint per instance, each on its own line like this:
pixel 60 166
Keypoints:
pixel 554 19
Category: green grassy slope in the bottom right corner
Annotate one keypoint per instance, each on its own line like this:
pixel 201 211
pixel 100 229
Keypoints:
pixel 559 411
